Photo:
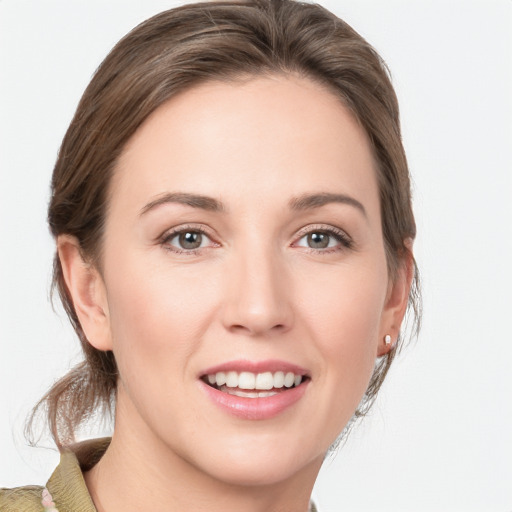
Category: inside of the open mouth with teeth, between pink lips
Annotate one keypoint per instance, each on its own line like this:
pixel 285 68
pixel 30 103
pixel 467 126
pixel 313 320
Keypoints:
pixel 254 385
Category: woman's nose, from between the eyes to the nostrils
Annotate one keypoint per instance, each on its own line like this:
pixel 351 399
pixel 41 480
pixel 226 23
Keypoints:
pixel 259 293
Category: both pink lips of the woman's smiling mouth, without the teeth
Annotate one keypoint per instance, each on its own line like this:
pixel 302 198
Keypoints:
pixel 255 408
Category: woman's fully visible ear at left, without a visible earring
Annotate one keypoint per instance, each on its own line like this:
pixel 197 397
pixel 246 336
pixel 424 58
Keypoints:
pixel 87 291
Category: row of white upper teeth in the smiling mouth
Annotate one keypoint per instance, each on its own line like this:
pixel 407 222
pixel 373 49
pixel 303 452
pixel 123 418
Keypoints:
pixel 248 380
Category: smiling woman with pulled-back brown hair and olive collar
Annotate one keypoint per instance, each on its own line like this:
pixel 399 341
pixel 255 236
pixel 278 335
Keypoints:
pixel 232 212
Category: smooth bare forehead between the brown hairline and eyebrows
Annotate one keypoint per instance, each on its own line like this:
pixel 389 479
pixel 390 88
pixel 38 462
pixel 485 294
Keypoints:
pixel 265 136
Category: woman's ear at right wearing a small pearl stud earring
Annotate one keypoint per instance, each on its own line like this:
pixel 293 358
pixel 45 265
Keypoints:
pixel 397 299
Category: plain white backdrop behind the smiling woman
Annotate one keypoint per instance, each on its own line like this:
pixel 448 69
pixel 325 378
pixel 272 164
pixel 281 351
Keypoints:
pixel 440 435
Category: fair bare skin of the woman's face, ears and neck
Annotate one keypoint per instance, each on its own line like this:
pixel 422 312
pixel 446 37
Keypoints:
pixel 254 290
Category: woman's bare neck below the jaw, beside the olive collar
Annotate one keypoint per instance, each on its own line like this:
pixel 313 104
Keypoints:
pixel 139 474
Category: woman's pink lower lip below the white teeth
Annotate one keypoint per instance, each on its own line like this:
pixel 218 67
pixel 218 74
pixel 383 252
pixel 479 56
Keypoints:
pixel 261 408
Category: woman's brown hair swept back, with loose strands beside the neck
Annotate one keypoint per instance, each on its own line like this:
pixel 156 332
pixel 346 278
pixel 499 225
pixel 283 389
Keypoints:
pixel 172 52
